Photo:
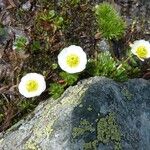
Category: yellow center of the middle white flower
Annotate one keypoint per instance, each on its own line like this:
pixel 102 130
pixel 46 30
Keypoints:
pixel 73 60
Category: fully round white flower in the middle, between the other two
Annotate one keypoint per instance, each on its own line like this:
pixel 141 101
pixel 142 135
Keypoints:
pixel 72 59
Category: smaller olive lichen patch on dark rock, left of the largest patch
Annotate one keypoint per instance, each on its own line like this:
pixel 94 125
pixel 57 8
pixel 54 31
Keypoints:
pixel 84 126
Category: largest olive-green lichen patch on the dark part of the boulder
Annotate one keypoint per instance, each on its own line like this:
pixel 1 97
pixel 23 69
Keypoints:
pixel 108 130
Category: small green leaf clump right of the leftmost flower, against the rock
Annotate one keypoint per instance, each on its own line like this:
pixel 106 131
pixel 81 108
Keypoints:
pixel 56 90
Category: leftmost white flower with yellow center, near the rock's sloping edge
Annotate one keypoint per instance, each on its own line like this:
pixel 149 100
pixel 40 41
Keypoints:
pixel 32 84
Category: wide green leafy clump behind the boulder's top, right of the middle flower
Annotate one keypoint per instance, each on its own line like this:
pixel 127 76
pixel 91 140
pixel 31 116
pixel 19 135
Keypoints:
pixel 107 66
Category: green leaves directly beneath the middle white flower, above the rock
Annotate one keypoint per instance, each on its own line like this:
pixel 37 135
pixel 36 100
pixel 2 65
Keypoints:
pixel 70 79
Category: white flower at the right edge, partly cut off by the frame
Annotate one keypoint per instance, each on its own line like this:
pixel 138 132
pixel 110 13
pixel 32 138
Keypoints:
pixel 141 49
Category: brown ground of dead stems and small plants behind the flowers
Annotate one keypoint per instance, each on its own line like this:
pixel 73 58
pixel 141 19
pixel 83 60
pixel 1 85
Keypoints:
pixel 21 17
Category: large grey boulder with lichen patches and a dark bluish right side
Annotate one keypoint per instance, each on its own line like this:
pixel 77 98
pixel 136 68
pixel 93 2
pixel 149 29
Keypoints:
pixel 96 114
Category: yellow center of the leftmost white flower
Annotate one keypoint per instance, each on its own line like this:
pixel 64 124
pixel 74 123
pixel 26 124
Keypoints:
pixel 32 85
